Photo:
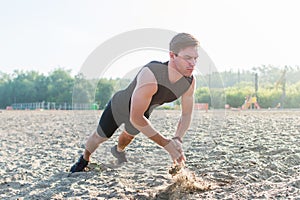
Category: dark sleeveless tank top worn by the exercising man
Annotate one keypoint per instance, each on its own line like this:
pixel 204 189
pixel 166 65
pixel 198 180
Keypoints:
pixel 166 92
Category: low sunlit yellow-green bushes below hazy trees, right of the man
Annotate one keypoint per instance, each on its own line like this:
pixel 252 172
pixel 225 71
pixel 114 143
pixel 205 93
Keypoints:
pixel 267 97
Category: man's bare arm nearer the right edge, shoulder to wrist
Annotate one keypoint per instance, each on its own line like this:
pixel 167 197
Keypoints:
pixel 187 104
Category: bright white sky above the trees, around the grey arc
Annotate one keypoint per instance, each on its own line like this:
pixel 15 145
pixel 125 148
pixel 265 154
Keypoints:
pixel 44 35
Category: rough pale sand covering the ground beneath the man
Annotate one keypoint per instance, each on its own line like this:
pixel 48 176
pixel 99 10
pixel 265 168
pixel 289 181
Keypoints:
pixel 230 155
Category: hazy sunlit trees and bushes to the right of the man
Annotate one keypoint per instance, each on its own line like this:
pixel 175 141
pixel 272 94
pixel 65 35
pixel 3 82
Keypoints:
pixel 275 86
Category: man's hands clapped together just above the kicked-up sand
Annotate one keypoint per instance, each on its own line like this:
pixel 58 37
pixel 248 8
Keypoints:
pixel 174 148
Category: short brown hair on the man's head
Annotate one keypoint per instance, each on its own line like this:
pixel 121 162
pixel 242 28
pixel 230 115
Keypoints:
pixel 181 41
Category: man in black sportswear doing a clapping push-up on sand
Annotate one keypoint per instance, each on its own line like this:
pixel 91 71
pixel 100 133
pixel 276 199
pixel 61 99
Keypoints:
pixel 155 84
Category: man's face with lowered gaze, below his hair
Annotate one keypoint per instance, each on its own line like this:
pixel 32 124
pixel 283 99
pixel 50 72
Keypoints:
pixel 185 60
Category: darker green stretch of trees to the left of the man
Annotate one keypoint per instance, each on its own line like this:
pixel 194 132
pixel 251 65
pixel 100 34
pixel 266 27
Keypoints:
pixel 58 86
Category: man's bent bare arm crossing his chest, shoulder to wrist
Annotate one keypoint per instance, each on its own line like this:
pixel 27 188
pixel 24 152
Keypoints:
pixel 145 88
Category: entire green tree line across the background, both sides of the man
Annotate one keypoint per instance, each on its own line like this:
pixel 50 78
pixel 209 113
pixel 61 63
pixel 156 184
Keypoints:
pixel 275 86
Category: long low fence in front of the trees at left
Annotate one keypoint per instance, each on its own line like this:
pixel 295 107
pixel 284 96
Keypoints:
pixel 52 106
